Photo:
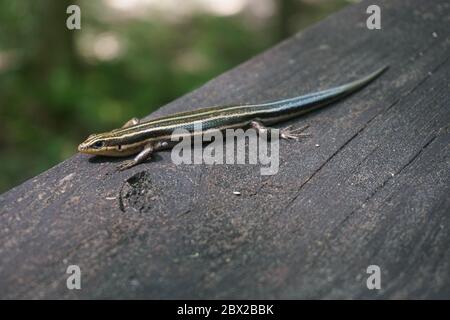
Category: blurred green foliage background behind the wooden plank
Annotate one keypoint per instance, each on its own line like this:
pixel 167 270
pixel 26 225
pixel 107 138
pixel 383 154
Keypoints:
pixel 129 58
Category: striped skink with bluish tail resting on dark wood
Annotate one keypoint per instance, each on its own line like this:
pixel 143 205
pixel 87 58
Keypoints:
pixel 146 137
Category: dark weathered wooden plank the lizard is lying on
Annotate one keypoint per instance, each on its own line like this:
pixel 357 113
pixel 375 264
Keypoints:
pixel 375 190
